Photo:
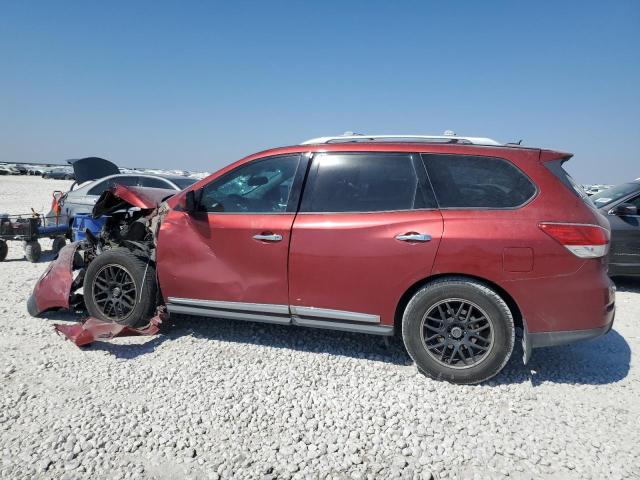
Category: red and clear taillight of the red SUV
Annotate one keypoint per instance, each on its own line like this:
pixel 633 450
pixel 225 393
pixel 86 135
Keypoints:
pixel 584 241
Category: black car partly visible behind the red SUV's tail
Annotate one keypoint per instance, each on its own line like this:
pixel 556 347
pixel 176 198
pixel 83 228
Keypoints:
pixel 621 205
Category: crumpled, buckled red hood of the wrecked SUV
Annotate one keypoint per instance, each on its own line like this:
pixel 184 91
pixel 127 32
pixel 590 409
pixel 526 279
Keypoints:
pixel 120 197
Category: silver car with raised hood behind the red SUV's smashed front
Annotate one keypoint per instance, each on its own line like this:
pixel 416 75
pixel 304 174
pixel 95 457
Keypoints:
pixel 95 175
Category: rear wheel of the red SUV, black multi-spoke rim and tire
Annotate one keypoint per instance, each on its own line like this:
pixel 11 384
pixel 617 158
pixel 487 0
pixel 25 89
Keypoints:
pixel 458 330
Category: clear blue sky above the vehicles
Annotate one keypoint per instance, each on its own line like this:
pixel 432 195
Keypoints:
pixel 196 85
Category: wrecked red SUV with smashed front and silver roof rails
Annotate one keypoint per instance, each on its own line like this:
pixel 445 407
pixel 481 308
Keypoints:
pixel 454 242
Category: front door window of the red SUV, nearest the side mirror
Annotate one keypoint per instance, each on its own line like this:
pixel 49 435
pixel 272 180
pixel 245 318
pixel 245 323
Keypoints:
pixel 262 186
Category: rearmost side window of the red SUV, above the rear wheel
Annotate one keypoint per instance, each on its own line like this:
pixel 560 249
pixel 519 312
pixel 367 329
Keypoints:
pixel 465 181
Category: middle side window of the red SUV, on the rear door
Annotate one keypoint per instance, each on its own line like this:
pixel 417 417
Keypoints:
pixel 368 182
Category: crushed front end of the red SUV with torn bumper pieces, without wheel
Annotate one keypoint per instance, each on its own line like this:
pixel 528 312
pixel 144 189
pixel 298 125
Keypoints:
pixel 133 218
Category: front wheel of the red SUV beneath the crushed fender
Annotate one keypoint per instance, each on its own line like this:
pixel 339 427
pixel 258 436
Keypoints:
pixel 121 287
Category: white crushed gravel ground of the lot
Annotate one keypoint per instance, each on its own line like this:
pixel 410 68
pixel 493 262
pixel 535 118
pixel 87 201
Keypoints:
pixel 221 399
